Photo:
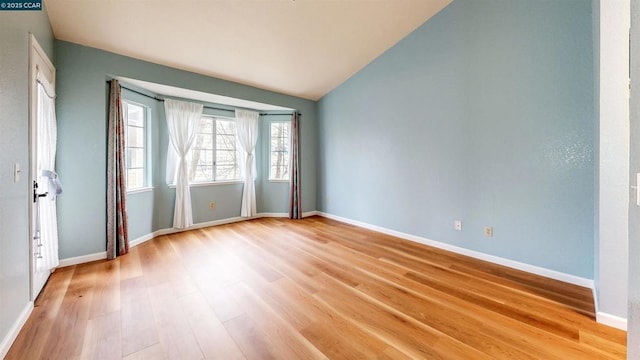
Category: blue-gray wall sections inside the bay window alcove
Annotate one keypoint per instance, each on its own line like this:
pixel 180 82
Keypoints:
pixel 152 209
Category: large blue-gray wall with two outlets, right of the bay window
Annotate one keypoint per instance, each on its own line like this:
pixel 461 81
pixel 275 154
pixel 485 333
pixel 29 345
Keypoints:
pixel 484 114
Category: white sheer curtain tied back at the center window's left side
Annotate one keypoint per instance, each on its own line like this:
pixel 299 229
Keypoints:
pixel 183 120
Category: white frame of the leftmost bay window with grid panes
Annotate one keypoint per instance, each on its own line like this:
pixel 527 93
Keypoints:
pixel 146 165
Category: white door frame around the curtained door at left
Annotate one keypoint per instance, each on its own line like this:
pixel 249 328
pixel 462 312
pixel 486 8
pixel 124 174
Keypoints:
pixel 38 61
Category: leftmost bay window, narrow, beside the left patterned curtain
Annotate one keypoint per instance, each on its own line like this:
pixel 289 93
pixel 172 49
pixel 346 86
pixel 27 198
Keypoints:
pixel 136 145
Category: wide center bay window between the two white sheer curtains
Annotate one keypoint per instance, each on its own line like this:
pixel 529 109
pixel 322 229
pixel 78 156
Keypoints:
pixel 215 153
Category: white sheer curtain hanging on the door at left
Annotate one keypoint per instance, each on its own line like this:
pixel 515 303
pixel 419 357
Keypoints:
pixel 47 178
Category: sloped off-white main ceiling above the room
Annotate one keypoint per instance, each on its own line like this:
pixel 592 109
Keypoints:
pixel 302 48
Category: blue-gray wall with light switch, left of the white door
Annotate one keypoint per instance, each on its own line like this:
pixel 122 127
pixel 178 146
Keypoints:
pixel 15 27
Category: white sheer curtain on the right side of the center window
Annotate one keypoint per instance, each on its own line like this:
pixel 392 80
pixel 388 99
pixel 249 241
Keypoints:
pixel 247 134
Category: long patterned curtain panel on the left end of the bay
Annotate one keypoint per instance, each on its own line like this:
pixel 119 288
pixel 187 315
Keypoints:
pixel 117 229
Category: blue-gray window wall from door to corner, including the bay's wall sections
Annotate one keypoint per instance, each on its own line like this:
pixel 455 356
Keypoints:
pixel 82 112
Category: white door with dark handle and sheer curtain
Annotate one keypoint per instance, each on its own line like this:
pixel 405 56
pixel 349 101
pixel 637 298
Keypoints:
pixel 43 234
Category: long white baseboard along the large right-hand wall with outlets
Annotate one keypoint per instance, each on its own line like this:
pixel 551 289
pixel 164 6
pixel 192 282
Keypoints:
pixel 568 278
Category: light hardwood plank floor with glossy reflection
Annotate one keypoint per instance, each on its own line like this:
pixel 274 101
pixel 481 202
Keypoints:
pixel 307 289
